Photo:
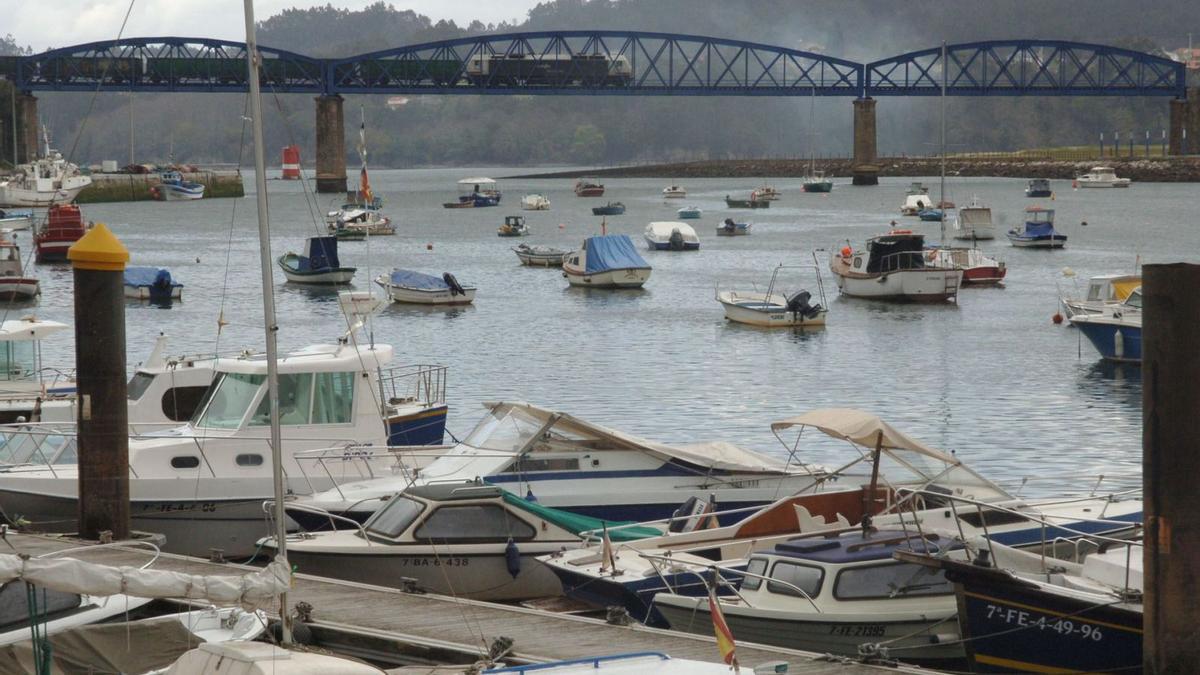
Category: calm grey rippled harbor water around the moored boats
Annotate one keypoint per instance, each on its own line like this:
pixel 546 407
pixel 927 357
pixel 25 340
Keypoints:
pixel 989 378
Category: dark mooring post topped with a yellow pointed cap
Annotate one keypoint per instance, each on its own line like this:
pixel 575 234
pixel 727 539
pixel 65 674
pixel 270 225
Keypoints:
pixel 99 260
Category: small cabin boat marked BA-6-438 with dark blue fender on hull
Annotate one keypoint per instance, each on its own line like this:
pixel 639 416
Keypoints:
pixel 466 540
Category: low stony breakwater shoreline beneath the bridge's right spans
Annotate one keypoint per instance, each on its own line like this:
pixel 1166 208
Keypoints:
pixel 1153 170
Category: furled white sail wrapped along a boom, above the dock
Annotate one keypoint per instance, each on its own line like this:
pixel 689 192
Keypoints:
pixel 73 576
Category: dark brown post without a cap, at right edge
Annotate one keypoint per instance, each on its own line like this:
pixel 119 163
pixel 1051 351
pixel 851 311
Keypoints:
pixel 1172 467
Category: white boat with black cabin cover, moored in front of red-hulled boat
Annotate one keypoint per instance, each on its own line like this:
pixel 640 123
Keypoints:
pixel 895 268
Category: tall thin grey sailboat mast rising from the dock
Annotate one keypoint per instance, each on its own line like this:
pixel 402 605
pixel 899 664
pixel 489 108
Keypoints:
pixel 272 328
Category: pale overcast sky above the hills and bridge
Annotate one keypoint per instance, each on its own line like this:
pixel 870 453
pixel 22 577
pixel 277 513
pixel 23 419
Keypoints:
pixel 58 23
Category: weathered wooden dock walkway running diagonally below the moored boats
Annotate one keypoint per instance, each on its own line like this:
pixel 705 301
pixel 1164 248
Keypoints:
pixel 469 626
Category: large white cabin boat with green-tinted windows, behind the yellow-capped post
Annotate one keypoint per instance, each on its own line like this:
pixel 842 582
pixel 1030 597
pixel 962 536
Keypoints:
pixel 329 397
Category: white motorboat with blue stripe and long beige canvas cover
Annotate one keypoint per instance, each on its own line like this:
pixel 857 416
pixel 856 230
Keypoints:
pixel 581 467
